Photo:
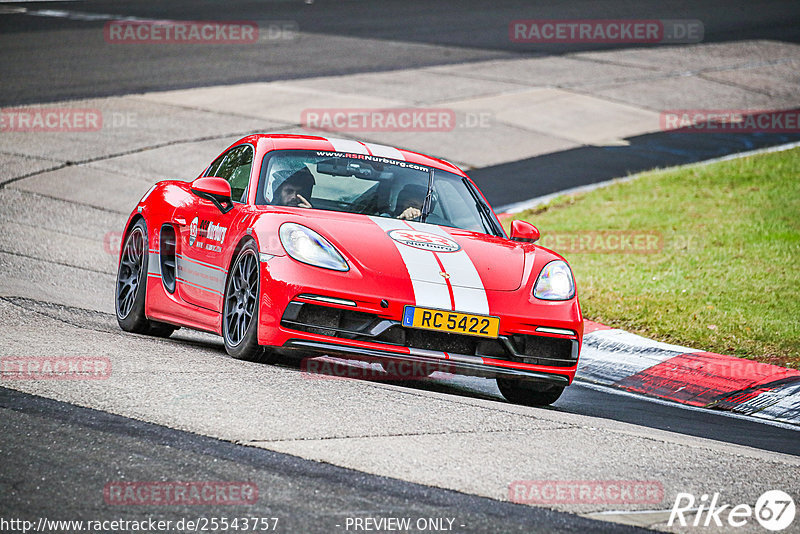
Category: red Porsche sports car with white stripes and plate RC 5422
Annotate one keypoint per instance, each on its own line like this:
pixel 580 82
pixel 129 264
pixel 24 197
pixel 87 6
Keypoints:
pixel 316 246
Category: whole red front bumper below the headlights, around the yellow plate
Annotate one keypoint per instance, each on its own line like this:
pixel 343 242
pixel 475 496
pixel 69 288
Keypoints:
pixel 364 324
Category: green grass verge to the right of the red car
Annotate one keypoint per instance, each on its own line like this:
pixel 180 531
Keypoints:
pixel 712 259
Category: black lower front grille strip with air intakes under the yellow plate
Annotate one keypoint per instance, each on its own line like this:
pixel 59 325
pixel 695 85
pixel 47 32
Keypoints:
pixel 350 324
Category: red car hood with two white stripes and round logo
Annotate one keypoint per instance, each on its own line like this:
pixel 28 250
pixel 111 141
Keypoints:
pixel 423 252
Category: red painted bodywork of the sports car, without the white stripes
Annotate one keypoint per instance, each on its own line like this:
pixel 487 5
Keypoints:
pixel 508 269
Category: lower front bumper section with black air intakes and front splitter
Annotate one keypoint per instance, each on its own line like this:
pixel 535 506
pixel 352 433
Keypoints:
pixel 324 329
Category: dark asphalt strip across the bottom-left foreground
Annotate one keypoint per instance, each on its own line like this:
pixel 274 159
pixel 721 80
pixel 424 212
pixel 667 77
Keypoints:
pixel 48 442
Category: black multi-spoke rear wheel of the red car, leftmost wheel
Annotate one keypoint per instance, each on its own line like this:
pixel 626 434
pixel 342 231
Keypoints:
pixel 131 286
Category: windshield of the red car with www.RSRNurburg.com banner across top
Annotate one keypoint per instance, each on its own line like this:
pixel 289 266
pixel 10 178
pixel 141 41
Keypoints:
pixel 373 185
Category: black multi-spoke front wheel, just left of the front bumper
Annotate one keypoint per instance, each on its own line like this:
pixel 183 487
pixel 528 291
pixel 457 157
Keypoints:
pixel 240 308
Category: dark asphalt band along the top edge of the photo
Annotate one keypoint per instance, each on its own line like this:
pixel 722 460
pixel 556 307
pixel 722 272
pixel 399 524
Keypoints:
pixel 50 58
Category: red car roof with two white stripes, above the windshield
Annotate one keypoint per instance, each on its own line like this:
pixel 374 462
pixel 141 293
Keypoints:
pixel 349 146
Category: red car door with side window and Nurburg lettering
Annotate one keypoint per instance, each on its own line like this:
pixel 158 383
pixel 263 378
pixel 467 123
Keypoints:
pixel 201 268
